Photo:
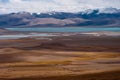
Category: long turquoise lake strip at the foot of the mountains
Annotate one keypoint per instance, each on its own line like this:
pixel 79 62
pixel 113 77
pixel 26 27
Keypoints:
pixel 65 29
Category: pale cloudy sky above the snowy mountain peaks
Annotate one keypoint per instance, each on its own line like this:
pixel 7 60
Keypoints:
pixel 38 6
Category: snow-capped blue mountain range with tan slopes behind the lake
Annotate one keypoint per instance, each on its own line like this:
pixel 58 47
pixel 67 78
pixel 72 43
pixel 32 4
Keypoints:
pixel 108 17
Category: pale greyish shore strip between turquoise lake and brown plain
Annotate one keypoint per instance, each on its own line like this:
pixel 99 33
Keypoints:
pixel 19 35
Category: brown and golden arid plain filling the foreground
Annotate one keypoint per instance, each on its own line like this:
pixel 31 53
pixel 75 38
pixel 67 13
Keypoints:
pixel 68 57
